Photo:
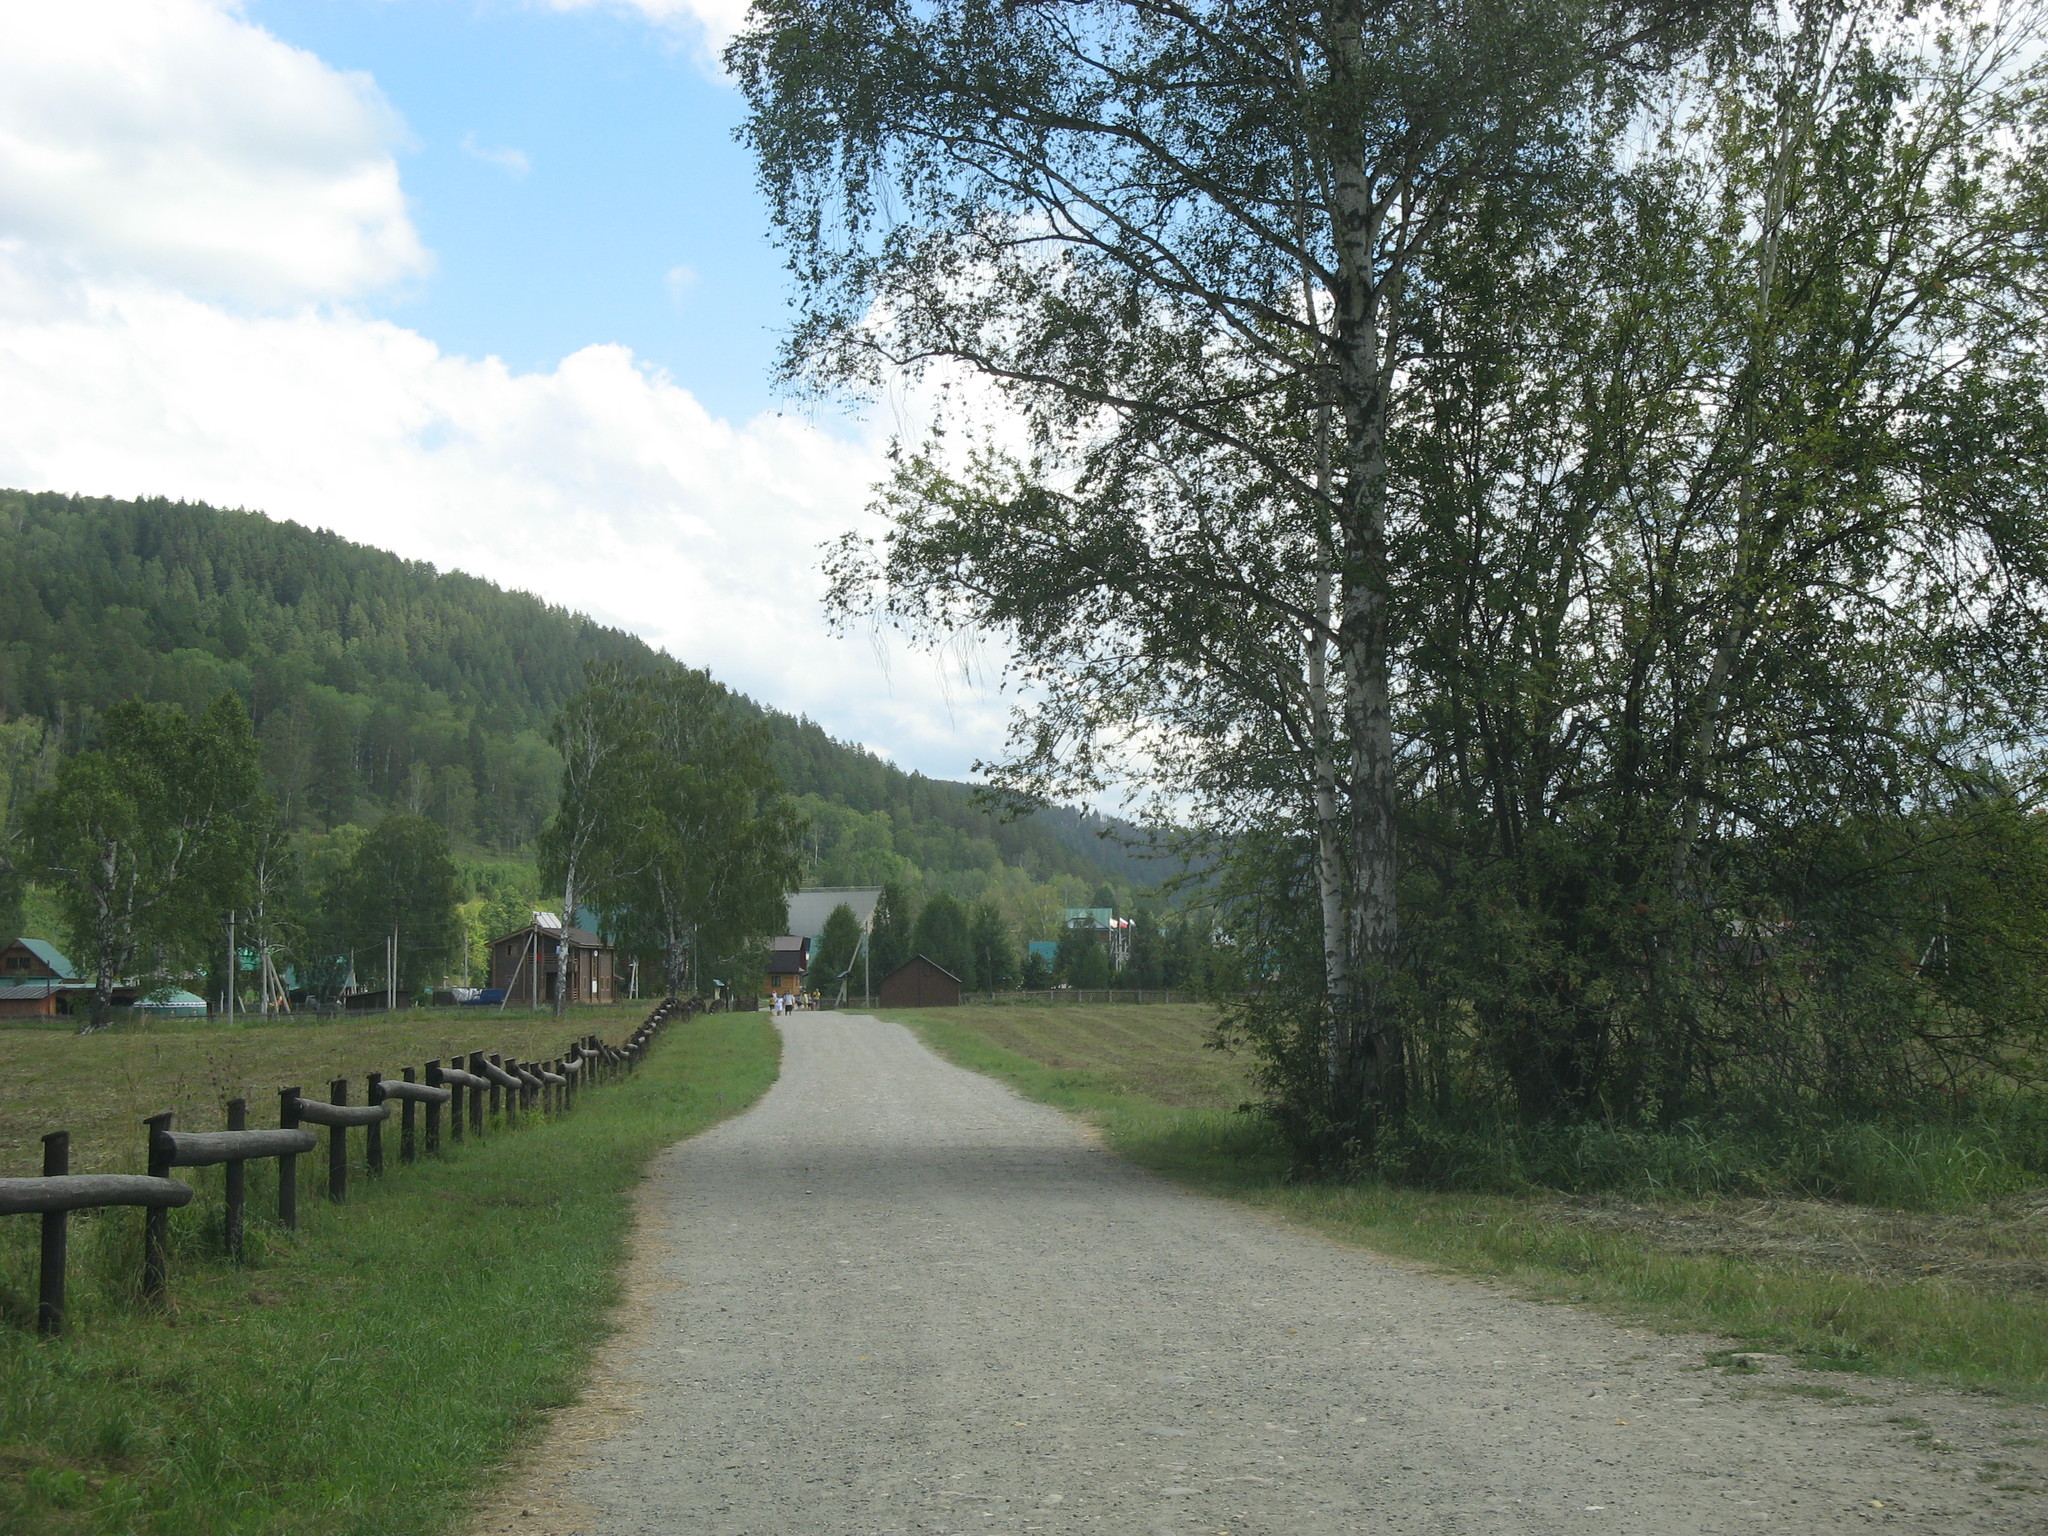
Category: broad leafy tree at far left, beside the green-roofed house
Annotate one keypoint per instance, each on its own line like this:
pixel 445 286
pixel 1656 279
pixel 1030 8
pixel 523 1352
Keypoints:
pixel 144 841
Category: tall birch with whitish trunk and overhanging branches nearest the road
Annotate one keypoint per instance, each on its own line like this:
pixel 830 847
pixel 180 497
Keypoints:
pixel 1181 245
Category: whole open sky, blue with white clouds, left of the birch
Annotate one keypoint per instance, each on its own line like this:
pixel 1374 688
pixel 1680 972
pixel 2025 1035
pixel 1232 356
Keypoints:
pixel 484 284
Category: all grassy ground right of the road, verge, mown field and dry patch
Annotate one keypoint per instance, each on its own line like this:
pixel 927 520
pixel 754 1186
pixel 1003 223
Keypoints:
pixel 1953 1297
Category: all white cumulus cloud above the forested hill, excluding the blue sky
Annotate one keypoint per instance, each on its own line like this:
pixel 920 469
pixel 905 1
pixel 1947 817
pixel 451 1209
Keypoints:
pixel 185 210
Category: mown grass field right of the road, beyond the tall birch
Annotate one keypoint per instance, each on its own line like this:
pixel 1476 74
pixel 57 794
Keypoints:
pixel 1158 1052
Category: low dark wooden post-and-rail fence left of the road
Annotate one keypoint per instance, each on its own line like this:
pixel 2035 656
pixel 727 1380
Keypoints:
pixel 431 1109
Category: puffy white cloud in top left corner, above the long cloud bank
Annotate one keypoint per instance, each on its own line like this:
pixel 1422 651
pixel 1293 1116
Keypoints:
pixel 177 142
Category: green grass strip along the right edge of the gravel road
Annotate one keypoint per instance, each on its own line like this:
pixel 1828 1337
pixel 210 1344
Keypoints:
pixel 1826 1316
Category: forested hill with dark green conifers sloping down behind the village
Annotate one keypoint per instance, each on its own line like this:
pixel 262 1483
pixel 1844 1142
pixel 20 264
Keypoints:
pixel 382 683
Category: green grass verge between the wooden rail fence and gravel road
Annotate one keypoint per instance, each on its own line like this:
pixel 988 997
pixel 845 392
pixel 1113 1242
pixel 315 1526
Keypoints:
pixel 364 1375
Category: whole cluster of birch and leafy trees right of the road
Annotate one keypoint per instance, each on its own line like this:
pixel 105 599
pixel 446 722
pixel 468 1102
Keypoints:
pixel 1553 493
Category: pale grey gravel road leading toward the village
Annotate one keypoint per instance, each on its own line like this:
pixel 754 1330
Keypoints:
pixel 896 1297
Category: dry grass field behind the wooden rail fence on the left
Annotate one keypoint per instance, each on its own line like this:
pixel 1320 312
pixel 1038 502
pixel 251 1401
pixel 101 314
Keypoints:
pixel 103 1086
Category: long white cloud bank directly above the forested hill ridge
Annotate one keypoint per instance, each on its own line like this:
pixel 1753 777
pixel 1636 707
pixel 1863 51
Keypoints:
pixel 599 484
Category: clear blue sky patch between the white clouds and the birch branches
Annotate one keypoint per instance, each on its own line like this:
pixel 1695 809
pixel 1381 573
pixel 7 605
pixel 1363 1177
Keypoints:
pixel 630 175
